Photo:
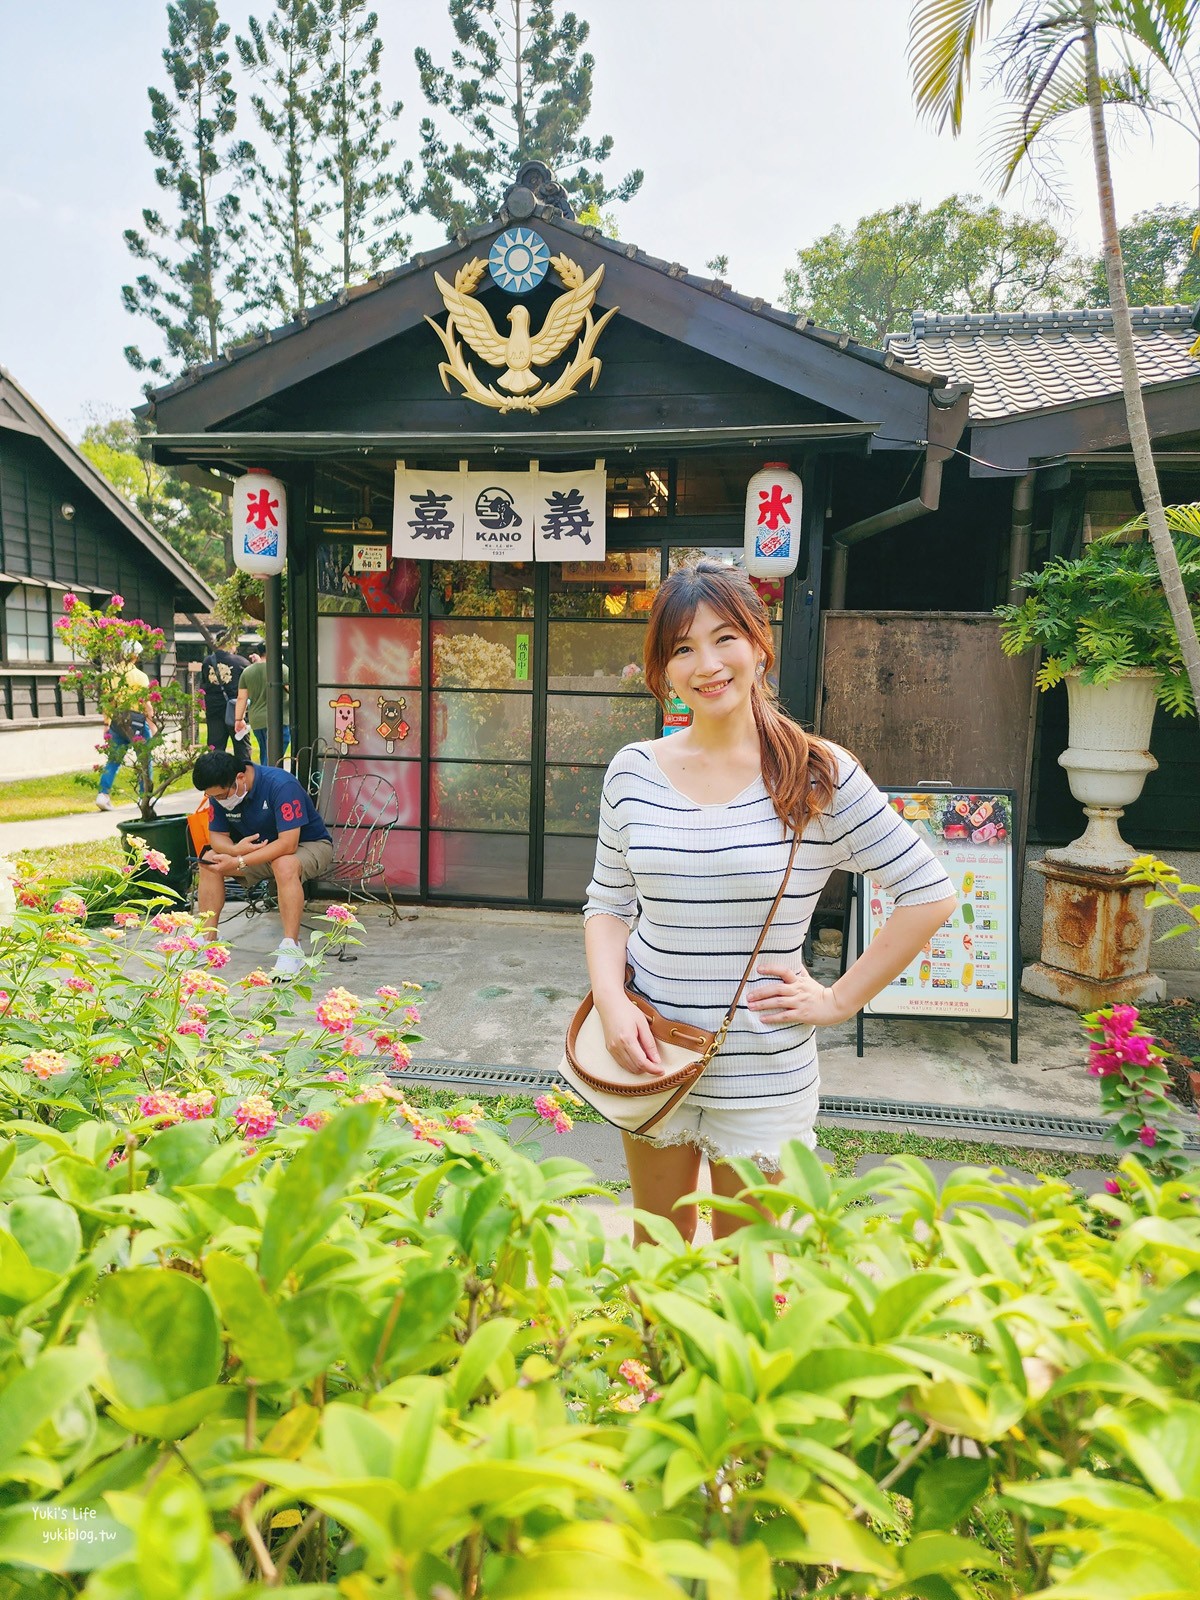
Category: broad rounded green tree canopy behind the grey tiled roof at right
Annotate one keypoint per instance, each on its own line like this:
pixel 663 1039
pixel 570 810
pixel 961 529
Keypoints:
pixel 961 255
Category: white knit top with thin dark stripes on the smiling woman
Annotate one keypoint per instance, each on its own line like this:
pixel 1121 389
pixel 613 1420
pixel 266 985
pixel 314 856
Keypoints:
pixel 695 882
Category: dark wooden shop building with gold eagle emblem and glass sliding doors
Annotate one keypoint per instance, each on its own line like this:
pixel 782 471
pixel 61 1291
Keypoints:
pixel 494 694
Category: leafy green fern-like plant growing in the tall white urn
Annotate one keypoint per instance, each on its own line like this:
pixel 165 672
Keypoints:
pixel 1105 614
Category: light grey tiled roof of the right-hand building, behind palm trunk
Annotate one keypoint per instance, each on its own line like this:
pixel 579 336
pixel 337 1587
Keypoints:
pixel 1020 362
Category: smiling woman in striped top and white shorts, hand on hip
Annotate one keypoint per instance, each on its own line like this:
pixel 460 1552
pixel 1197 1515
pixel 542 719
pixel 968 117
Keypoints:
pixel 695 834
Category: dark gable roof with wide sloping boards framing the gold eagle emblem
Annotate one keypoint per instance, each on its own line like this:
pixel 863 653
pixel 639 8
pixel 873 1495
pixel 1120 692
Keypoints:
pixel 778 346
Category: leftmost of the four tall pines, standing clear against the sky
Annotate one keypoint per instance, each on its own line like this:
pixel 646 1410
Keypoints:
pixel 193 262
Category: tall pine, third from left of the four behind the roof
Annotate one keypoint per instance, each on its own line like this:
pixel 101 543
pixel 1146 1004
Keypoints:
pixel 372 193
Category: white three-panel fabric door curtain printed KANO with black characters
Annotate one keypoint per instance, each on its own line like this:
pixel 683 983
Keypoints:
pixel 500 516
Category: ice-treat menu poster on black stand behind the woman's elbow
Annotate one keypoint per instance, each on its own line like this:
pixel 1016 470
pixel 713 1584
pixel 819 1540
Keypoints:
pixel 969 967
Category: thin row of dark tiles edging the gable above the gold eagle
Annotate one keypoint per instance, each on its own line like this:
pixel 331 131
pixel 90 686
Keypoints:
pixel 905 366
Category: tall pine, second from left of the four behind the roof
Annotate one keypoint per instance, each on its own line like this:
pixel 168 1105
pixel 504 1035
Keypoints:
pixel 286 58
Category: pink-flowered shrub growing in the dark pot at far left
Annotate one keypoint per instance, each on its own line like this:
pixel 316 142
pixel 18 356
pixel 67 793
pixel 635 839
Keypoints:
pixel 103 646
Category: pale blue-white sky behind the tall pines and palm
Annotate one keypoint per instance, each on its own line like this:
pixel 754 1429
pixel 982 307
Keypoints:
pixel 761 124
